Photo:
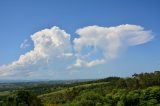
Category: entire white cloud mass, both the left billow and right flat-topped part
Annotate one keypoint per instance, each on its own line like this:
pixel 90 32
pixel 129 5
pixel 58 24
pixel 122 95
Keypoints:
pixel 95 45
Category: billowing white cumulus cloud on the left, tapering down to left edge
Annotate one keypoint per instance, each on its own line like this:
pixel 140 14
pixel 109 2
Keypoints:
pixel 49 45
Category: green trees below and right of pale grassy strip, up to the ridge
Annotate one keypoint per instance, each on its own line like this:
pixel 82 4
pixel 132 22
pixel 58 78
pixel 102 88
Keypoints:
pixel 139 90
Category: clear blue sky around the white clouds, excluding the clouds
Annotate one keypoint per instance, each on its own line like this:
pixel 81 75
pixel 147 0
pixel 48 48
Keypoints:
pixel 20 19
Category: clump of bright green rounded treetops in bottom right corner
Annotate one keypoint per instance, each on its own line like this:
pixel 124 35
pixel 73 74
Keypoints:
pixel 144 97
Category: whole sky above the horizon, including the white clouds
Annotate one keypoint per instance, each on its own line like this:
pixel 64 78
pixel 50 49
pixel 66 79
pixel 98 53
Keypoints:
pixel 78 39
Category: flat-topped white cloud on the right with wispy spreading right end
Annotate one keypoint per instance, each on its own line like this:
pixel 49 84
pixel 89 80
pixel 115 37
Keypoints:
pixel 109 40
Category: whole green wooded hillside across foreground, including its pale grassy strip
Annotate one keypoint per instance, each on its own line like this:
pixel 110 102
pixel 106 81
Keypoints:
pixel 139 90
